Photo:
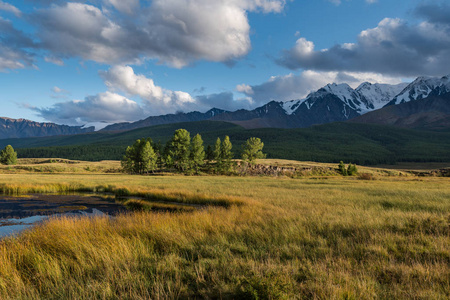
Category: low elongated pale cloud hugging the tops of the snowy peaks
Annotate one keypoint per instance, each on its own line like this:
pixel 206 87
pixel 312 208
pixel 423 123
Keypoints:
pixel 293 87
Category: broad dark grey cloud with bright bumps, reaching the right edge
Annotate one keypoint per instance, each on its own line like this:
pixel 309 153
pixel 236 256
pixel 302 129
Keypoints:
pixel 394 47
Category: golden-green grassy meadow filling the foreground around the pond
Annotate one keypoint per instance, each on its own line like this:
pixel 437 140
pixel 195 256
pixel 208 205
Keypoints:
pixel 313 237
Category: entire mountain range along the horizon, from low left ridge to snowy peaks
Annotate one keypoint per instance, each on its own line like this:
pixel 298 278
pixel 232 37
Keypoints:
pixel 422 104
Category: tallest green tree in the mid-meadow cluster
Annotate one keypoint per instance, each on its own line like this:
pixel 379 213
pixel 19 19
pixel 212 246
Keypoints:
pixel 179 149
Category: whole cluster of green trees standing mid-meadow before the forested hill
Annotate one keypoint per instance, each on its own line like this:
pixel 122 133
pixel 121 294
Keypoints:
pixel 185 155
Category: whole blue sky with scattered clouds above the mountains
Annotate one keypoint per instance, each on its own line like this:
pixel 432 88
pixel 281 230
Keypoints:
pixel 82 62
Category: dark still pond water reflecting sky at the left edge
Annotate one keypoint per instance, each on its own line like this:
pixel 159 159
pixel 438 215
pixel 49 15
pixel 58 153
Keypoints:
pixel 20 213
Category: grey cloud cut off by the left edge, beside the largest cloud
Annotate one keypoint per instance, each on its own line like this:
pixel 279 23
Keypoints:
pixel 13 47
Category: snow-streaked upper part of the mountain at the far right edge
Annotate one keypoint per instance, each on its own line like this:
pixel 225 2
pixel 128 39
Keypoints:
pixel 421 88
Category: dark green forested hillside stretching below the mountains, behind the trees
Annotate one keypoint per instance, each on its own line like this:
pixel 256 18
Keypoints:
pixel 358 143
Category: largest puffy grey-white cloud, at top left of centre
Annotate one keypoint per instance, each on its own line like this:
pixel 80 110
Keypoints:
pixel 174 32
